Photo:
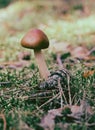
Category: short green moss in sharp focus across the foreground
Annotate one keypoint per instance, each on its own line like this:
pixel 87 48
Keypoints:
pixel 21 100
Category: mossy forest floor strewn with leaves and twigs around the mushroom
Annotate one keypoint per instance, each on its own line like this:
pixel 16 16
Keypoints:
pixel 25 103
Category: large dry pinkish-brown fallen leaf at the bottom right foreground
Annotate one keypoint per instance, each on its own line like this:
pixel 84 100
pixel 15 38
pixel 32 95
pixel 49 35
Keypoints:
pixel 73 113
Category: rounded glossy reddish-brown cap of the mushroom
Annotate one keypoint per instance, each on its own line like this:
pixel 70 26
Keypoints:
pixel 35 39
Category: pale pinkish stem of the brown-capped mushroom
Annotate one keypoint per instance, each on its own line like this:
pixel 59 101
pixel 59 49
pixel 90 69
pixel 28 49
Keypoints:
pixel 44 72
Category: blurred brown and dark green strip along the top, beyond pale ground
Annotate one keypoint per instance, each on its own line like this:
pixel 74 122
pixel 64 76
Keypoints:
pixel 61 5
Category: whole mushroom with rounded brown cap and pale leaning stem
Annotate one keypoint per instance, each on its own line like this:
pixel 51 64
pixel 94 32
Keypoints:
pixel 37 40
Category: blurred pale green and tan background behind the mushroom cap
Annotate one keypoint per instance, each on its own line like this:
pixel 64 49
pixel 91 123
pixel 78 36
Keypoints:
pixel 64 21
